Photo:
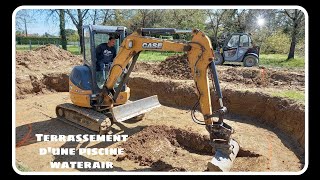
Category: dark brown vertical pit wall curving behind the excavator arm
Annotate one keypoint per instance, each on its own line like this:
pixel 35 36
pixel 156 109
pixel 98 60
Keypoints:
pixel 280 113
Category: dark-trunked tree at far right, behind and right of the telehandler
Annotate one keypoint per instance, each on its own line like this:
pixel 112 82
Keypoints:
pixel 296 21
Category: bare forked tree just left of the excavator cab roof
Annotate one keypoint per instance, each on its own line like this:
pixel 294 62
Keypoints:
pixel 77 19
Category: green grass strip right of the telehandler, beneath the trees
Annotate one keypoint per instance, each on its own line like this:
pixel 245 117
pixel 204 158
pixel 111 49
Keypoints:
pixel 279 60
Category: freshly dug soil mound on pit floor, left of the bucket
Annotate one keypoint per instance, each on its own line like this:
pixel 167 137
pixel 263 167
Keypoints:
pixel 165 144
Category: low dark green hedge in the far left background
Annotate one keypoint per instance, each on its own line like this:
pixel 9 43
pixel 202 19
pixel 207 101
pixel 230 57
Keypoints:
pixel 38 40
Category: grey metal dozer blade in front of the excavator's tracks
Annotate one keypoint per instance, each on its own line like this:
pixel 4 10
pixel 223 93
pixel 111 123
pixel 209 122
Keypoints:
pixel 134 108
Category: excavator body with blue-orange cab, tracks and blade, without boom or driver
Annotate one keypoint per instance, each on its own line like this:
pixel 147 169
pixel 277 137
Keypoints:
pixel 88 110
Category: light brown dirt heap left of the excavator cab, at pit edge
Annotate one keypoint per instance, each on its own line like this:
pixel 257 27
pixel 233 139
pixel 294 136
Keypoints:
pixel 45 69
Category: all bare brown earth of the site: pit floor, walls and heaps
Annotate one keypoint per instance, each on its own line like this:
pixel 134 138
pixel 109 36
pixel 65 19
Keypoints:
pixel 270 130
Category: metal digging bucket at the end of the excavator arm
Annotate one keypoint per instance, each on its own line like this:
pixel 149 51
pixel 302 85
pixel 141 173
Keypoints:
pixel 223 161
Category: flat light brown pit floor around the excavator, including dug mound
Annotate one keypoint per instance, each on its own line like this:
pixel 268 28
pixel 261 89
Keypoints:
pixel 165 140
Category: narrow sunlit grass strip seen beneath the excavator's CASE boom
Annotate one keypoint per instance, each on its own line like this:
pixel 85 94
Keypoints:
pixel 152 56
